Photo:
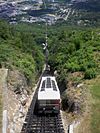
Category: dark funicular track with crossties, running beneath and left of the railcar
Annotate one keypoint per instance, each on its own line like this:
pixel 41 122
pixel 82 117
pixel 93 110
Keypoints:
pixel 44 123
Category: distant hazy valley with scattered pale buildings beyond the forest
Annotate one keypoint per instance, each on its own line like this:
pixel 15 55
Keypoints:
pixel 71 12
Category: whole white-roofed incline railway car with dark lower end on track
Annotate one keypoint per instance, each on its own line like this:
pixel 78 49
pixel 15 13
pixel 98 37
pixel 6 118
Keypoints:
pixel 48 96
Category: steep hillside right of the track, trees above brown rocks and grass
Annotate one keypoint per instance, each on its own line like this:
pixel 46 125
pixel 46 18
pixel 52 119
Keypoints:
pixel 74 57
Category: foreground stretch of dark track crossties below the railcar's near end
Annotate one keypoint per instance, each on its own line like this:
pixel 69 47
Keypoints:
pixel 44 124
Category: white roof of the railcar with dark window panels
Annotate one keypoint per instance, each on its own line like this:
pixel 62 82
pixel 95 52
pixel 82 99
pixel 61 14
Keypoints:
pixel 48 89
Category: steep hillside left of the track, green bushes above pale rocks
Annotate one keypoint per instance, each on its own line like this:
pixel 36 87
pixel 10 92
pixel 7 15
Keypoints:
pixel 21 53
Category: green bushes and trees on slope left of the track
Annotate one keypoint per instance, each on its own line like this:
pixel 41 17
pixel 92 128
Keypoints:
pixel 20 49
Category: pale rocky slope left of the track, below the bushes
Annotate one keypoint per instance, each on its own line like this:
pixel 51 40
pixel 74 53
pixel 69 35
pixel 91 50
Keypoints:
pixel 19 100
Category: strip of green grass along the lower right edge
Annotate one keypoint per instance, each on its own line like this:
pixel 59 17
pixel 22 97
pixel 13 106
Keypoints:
pixel 95 117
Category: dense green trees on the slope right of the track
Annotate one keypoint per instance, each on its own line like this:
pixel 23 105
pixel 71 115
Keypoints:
pixel 74 50
